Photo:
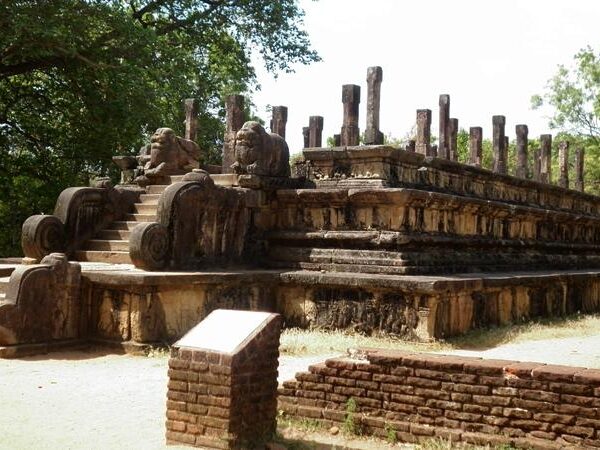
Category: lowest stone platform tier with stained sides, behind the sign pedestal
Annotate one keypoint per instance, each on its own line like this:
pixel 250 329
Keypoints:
pixel 131 306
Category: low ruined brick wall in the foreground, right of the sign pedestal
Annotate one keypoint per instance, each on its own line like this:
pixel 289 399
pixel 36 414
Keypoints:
pixel 419 396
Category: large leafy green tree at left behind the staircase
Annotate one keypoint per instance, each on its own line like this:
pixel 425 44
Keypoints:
pixel 83 80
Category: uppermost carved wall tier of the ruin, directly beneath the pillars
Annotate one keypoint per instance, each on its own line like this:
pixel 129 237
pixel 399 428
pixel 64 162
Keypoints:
pixel 386 166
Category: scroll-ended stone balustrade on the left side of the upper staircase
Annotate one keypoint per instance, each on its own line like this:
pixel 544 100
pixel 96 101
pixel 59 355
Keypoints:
pixel 79 214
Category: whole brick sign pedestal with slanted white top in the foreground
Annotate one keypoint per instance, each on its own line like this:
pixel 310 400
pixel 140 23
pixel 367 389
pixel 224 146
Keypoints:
pixel 222 392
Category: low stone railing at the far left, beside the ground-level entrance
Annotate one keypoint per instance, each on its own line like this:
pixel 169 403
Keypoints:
pixel 42 303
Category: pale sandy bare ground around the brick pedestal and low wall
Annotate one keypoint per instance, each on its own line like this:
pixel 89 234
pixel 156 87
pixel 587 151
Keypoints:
pixel 98 400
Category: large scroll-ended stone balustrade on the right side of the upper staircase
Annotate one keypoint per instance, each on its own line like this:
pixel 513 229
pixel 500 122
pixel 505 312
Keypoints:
pixel 198 224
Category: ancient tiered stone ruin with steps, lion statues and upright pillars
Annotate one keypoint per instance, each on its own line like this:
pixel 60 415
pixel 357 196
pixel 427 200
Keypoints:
pixel 373 238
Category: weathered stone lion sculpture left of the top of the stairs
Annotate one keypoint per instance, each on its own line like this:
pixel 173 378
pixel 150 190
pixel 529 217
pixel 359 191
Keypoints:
pixel 167 154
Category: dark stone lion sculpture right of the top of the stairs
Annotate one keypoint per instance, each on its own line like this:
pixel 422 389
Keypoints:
pixel 260 153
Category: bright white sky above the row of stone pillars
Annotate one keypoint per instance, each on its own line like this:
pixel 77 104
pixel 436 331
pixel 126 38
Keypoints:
pixel 491 57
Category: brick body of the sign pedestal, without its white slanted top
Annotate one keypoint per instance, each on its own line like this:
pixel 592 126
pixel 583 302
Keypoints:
pixel 219 400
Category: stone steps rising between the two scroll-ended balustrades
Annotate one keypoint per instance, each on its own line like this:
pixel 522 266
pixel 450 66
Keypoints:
pixel 111 245
